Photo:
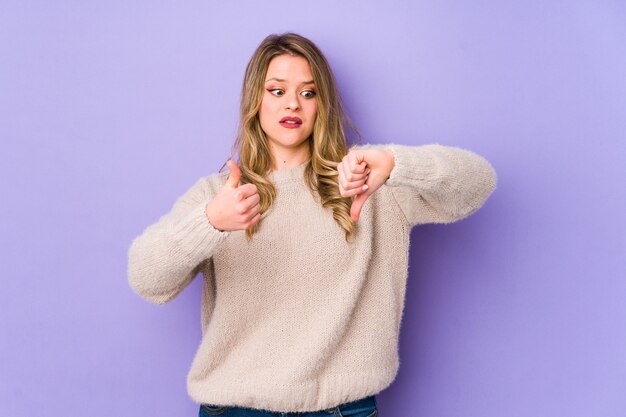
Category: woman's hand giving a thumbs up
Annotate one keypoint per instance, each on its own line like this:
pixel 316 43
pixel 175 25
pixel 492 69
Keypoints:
pixel 234 207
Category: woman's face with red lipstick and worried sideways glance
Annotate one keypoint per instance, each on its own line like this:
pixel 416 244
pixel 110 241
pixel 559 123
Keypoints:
pixel 289 106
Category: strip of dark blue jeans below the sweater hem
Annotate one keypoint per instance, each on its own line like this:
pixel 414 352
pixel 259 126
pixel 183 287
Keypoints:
pixel 365 407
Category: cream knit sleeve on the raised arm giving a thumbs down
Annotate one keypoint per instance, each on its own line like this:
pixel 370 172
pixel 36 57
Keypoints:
pixel 438 184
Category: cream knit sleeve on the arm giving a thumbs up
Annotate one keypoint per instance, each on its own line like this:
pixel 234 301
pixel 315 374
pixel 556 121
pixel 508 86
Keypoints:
pixel 166 257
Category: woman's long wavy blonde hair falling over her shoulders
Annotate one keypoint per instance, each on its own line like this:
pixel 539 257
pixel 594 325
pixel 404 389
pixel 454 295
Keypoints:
pixel 327 144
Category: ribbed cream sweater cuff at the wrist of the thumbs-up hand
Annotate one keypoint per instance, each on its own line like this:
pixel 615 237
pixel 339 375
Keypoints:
pixel 195 237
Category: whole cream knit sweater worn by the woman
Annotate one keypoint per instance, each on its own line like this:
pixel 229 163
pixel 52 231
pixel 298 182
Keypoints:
pixel 297 319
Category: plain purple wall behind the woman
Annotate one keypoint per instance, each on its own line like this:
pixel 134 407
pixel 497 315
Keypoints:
pixel 111 110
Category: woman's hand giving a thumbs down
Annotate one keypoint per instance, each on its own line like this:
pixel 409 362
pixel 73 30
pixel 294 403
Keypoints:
pixel 361 172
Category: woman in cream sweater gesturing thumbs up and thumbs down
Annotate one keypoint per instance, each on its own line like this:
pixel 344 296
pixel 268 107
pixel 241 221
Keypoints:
pixel 303 246
